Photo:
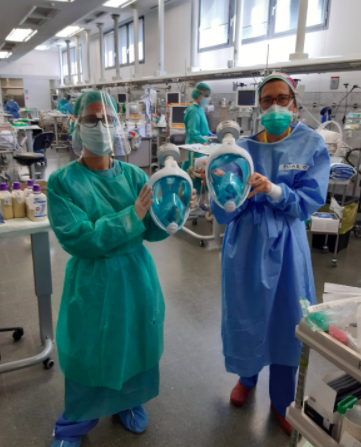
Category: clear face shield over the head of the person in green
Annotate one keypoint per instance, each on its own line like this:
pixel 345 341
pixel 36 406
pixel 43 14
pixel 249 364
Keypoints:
pixel 97 130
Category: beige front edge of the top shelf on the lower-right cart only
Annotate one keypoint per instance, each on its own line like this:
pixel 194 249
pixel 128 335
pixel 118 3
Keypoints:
pixel 340 355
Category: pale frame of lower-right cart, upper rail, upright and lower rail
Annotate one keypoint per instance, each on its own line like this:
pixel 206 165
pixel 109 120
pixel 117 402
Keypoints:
pixel 335 352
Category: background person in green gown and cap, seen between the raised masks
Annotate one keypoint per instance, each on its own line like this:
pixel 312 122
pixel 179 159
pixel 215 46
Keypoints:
pixel 196 125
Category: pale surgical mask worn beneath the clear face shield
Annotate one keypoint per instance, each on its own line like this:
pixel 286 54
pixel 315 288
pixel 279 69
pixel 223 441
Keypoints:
pixel 99 140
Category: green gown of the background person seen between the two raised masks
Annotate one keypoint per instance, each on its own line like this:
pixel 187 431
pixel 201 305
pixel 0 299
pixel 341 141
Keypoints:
pixel 196 126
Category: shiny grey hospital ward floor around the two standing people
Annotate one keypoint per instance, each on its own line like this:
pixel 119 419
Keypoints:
pixel 193 408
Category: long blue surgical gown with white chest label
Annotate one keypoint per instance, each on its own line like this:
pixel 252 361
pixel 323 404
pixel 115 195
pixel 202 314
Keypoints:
pixel 266 262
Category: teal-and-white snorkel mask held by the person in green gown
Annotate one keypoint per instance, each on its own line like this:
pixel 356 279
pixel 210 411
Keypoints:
pixel 172 191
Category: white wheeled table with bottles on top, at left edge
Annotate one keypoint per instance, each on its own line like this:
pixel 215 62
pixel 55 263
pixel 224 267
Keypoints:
pixel 39 233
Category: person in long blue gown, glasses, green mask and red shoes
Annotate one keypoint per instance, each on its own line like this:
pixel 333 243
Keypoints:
pixel 266 262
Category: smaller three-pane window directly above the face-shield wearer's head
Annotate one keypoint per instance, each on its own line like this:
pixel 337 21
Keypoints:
pixel 126 45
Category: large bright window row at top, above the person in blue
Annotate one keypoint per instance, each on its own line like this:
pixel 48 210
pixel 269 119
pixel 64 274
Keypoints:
pixel 262 19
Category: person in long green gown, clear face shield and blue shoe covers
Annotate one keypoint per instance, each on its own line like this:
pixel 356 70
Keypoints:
pixel 110 327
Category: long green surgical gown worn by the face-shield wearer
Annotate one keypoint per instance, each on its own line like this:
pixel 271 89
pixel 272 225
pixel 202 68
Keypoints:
pixel 110 325
